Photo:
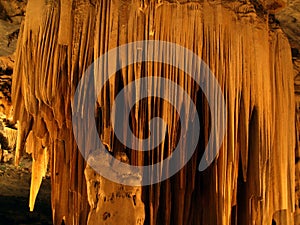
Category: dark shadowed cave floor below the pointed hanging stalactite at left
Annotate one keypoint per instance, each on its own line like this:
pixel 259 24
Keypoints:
pixel 14 196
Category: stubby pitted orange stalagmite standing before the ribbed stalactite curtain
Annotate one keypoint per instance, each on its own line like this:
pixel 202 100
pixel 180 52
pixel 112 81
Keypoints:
pixel 112 203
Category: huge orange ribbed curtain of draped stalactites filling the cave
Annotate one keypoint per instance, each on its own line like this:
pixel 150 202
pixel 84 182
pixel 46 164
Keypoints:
pixel 253 178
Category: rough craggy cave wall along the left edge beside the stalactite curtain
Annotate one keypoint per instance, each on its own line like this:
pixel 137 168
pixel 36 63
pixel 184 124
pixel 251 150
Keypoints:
pixel 11 15
